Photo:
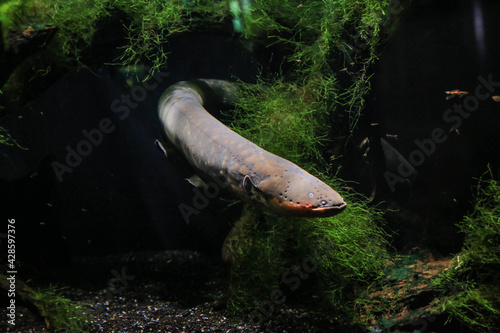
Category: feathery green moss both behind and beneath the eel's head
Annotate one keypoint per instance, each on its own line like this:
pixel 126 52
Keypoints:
pixel 332 258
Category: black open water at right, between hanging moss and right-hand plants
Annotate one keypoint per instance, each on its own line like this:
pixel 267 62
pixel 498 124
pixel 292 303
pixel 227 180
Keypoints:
pixel 437 47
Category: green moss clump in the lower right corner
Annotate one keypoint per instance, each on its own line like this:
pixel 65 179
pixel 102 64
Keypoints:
pixel 472 286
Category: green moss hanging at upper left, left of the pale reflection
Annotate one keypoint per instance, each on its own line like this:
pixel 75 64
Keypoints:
pixel 146 25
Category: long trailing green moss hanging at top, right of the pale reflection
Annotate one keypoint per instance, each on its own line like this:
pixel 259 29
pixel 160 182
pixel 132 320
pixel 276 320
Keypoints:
pixel 325 37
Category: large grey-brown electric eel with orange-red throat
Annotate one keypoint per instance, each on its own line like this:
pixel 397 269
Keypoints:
pixel 224 159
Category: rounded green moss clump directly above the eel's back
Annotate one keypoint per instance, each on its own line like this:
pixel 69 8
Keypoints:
pixel 285 119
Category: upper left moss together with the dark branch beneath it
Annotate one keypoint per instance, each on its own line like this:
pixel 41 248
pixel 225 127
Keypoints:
pixel 118 32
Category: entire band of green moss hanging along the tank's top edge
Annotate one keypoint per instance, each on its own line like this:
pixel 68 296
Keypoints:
pixel 323 37
